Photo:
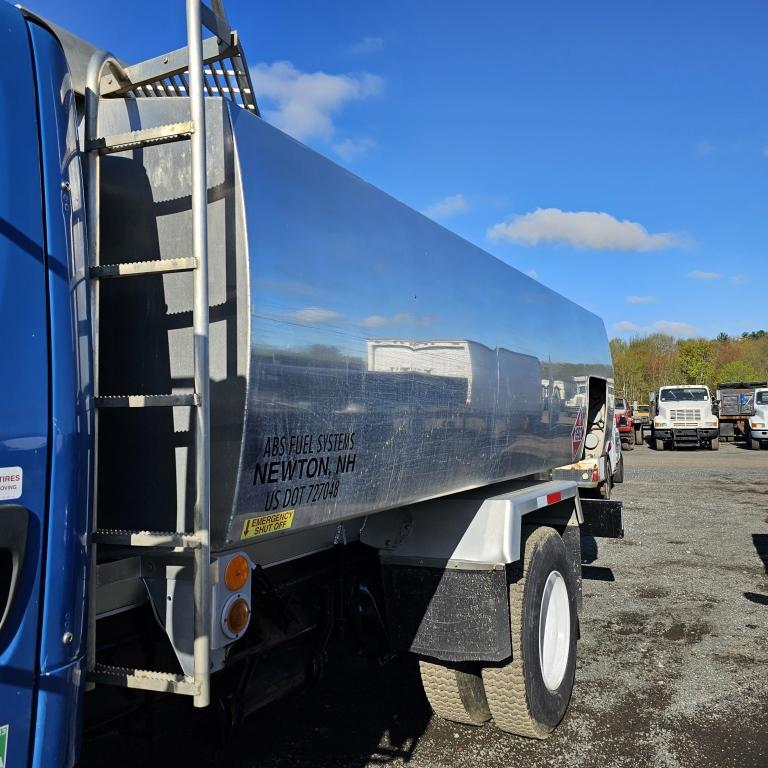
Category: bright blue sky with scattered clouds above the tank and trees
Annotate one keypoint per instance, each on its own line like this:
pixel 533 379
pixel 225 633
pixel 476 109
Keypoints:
pixel 617 152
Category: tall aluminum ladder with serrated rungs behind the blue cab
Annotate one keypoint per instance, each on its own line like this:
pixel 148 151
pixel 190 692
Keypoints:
pixel 227 75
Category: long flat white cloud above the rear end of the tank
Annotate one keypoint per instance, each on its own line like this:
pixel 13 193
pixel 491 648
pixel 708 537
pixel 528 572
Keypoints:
pixel 581 229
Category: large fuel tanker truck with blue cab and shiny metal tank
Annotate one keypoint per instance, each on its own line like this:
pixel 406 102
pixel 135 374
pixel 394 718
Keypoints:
pixel 213 473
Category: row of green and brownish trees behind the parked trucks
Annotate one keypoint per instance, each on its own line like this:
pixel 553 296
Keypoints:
pixel 644 363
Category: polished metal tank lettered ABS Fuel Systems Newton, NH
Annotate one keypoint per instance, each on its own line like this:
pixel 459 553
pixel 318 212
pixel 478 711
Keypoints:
pixel 362 356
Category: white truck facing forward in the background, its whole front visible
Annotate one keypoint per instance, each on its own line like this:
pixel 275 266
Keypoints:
pixel 682 415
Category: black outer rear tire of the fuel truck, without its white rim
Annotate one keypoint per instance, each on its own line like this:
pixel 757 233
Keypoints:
pixel 519 700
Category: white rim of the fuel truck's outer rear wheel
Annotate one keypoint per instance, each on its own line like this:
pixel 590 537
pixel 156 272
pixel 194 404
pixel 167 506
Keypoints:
pixel 554 631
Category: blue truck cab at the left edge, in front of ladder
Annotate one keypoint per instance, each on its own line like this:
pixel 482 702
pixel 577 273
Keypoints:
pixel 45 421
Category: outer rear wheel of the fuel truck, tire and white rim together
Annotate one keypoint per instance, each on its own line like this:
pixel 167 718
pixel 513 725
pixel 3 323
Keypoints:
pixel 528 695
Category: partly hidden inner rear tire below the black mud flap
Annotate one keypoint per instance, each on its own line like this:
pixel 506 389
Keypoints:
pixel 454 694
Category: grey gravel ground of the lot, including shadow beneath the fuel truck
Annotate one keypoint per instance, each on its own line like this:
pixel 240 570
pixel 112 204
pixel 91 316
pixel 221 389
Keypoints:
pixel 673 657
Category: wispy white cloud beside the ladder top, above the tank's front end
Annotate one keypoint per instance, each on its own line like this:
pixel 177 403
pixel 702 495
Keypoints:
pixel 304 103
